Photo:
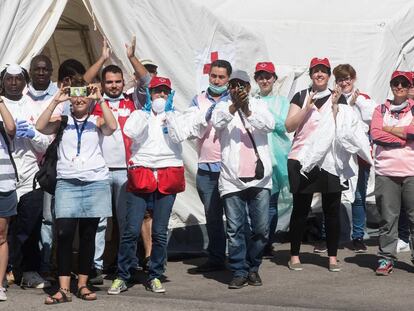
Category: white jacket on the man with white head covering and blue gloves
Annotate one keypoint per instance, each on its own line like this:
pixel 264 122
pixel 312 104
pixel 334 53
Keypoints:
pixel 27 151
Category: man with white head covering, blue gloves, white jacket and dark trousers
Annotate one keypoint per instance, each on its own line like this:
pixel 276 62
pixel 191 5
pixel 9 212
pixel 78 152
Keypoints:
pixel 29 146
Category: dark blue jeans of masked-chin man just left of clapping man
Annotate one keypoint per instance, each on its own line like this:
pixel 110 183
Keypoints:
pixel 207 187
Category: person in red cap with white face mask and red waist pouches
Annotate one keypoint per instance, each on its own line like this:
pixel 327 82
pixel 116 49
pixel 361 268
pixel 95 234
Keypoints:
pixel 155 176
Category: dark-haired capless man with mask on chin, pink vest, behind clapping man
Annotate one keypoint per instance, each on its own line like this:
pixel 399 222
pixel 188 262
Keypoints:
pixel 209 163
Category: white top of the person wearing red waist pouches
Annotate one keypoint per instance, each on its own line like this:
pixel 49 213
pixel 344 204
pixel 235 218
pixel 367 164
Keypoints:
pixel 153 146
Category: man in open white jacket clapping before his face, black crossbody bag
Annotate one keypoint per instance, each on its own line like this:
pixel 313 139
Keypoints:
pixel 242 125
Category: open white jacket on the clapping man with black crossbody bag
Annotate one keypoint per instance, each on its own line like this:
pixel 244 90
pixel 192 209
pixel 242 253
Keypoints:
pixel 260 123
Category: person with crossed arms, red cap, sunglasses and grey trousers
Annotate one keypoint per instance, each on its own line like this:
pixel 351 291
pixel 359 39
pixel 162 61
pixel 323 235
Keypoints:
pixel 392 132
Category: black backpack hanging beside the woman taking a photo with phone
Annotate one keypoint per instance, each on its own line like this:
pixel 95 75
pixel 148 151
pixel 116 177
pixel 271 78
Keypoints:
pixel 46 176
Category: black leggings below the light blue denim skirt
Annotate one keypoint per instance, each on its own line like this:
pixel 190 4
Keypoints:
pixel 66 228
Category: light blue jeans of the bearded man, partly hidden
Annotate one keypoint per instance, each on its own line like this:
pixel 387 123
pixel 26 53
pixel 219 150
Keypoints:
pixel 117 182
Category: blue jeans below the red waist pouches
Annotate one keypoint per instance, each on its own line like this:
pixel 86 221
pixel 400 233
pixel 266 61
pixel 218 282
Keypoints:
pixel 136 206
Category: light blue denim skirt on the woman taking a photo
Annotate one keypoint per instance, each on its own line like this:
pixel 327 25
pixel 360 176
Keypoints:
pixel 82 199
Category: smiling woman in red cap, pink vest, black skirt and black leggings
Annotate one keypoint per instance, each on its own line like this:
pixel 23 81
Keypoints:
pixel 306 110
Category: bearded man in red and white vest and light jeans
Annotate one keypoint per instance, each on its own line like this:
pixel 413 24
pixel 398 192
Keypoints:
pixel 115 149
